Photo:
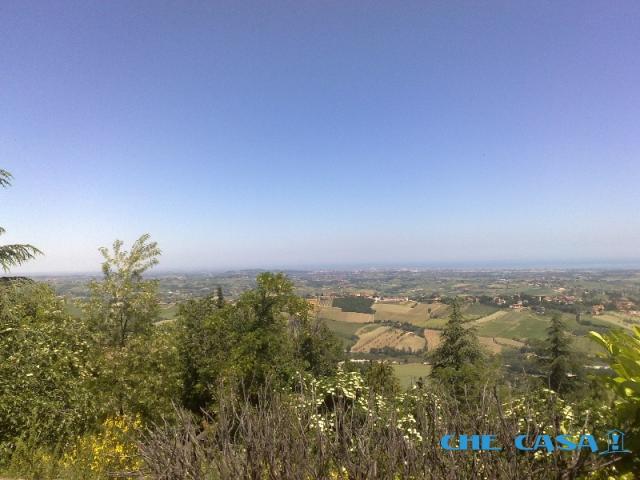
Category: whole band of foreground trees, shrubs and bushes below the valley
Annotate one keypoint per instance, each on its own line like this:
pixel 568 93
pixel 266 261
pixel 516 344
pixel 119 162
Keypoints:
pixel 258 388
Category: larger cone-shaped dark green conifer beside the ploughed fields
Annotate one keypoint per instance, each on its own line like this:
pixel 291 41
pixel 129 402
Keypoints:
pixel 459 344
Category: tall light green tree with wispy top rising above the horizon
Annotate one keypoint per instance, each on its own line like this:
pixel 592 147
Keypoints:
pixel 139 372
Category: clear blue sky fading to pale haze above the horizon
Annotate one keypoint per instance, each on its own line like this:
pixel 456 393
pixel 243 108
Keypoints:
pixel 283 134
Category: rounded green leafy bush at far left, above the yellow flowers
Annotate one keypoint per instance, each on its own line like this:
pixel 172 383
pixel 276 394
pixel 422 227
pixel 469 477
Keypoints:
pixel 46 369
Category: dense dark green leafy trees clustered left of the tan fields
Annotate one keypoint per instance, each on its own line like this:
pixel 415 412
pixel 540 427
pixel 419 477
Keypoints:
pixel 268 333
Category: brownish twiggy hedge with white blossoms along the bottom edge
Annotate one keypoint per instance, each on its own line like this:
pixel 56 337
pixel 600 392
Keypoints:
pixel 338 428
